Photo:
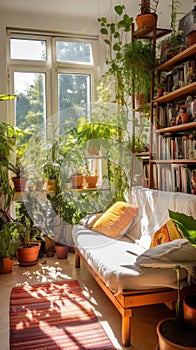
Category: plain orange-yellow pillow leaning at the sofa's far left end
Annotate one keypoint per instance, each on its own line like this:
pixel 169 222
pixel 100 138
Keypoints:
pixel 116 220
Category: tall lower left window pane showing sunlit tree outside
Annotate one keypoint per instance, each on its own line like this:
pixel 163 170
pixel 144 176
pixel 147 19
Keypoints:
pixel 31 102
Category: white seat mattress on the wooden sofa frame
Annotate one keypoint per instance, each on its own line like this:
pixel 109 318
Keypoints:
pixel 115 262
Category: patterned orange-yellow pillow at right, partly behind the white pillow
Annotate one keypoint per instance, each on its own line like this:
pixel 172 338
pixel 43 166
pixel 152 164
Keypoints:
pixel 166 233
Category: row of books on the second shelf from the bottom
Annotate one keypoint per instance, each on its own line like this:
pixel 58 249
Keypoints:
pixel 175 147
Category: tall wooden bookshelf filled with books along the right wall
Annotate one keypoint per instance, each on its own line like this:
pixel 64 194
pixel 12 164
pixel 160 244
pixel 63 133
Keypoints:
pixel 173 147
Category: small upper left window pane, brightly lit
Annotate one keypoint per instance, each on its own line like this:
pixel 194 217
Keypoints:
pixel 28 49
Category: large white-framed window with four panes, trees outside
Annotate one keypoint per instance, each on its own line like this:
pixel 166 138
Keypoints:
pixel 49 75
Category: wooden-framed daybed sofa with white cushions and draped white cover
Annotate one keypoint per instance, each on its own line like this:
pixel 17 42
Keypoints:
pixel 128 269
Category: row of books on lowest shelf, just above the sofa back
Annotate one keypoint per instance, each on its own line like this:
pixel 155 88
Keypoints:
pixel 173 178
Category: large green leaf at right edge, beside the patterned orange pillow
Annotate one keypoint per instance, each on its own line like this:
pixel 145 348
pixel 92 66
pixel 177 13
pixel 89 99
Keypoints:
pixel 186 225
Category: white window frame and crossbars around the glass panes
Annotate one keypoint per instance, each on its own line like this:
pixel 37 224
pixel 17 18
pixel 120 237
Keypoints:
pixel 50 67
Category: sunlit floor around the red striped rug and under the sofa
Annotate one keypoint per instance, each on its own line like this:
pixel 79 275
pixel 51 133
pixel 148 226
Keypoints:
pixel 144 319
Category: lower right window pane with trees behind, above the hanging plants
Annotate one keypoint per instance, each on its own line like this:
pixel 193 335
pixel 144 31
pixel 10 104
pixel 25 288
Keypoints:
pixel 73 90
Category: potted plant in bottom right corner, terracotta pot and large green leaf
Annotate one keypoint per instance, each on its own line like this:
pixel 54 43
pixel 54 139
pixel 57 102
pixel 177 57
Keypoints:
pixel 180 332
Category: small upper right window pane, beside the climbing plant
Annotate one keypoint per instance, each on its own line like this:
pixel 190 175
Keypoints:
pixel 73 52
